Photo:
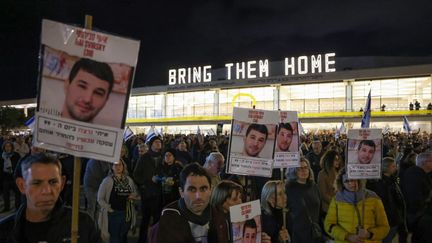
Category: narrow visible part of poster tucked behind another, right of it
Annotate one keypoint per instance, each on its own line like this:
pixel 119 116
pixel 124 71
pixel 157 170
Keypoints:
pixel 287 141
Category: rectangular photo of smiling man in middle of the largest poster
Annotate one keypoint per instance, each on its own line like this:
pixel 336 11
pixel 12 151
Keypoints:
pixel 83 89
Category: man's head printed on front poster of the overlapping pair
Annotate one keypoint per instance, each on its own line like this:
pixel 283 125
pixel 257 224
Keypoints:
pixel 255 139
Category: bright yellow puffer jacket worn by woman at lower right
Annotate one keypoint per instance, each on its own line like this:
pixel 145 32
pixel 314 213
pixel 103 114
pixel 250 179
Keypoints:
pixel 342 218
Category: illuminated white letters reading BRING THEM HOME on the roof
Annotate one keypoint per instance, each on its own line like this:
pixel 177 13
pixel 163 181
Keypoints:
pixel 301 65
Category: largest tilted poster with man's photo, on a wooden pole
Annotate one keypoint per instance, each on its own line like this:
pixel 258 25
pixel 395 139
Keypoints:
pixel 85 79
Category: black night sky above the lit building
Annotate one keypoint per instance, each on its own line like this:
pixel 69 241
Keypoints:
pixel 188 33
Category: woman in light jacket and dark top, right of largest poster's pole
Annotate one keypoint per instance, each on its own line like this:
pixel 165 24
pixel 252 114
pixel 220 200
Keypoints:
pixel 116 196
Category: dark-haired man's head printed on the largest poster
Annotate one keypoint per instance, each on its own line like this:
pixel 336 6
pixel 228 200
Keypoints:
pixel 87 90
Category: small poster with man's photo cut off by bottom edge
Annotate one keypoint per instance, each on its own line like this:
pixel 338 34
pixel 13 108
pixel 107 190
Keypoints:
pixel 246 222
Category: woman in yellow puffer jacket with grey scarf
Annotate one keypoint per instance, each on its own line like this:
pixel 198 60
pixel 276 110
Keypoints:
pixel 352 219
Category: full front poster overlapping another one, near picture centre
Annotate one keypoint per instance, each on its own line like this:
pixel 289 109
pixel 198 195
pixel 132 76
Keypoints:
pixel 252 142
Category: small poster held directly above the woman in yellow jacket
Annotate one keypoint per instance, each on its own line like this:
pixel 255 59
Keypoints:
pixel 364 153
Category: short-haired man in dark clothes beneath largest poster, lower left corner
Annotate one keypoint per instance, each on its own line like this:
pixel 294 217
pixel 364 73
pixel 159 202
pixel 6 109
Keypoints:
pixel 43 218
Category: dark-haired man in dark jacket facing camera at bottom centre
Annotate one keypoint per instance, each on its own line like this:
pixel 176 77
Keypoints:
pixel 187 220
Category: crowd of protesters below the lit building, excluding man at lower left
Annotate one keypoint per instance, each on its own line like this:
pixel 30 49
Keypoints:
pixel 178 186
